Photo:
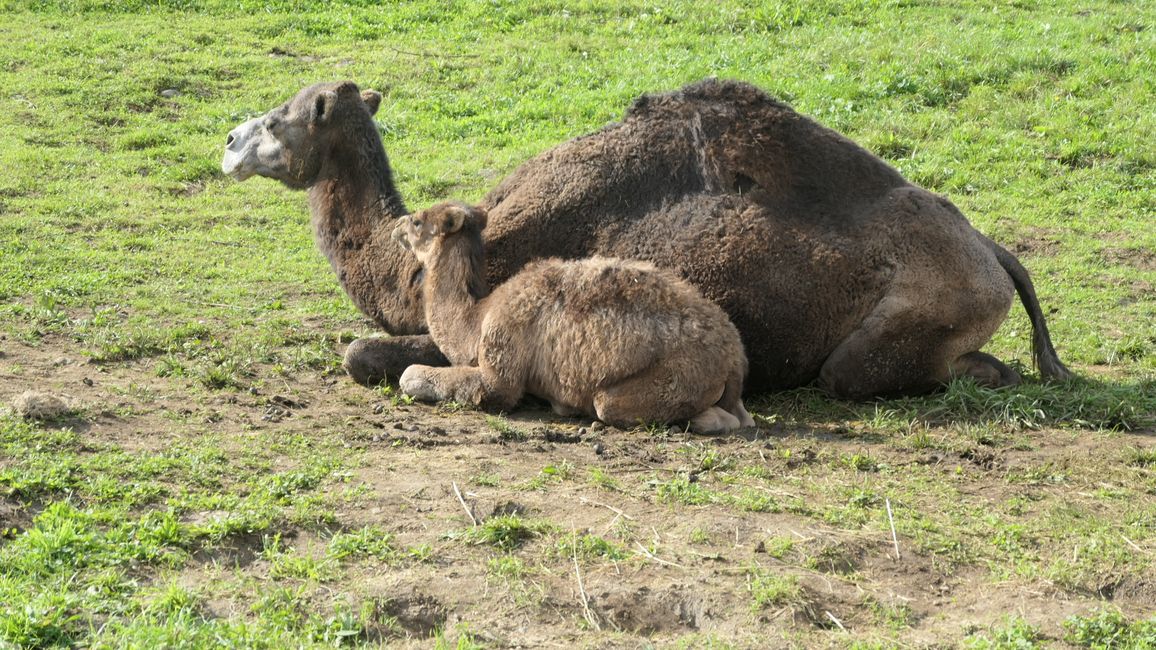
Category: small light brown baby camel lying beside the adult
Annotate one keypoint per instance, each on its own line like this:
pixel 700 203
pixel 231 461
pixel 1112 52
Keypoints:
pixel 621 341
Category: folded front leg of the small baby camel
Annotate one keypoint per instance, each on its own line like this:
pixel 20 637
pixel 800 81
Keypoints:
pixel 458 383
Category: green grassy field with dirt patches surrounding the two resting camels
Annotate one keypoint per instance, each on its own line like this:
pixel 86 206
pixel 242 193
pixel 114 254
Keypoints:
pixel 218 482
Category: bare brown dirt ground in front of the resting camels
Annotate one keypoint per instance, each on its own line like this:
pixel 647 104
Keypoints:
pixel 687 568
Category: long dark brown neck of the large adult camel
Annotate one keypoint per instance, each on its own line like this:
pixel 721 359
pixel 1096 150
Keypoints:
pixel 354 203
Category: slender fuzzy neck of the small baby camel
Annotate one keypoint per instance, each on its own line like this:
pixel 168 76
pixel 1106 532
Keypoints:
pixel 455 296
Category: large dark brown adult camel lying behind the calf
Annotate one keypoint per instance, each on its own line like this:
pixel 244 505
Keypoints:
pixel 831 264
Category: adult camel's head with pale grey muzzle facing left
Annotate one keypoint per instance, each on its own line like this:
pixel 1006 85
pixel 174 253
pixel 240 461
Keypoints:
pixel 293 143
